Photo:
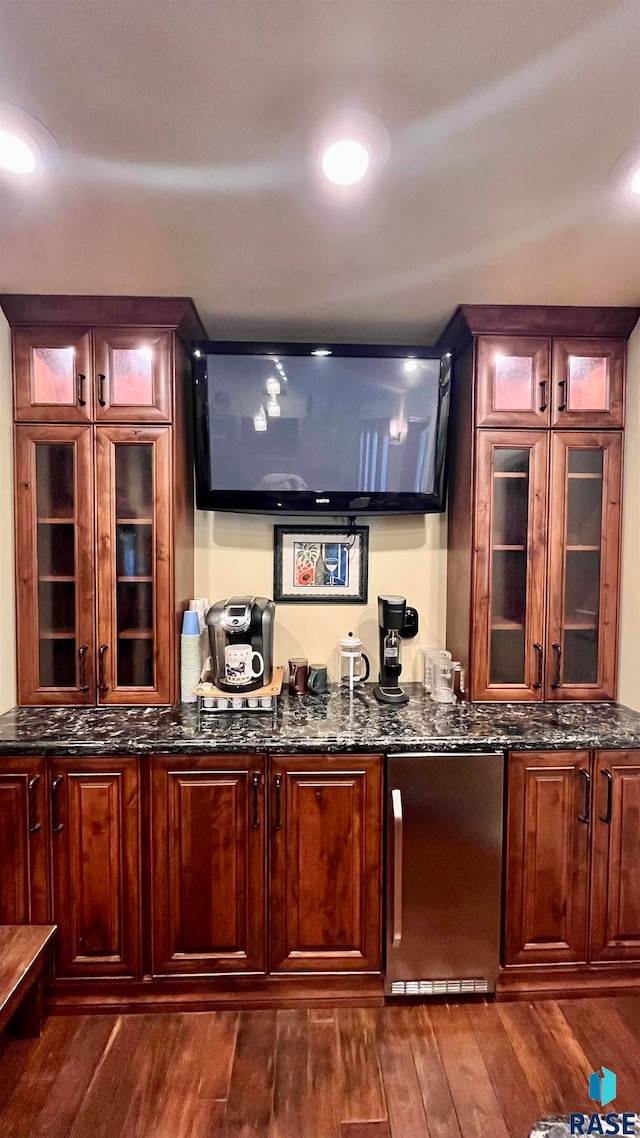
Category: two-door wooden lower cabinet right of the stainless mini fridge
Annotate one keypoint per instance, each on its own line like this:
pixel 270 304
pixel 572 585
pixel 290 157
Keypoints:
pixel 573 859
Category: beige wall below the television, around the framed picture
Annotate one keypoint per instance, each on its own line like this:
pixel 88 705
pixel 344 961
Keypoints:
pixel 407 556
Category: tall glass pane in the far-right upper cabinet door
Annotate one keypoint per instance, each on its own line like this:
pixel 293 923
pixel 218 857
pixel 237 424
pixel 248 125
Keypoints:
pixel 582 566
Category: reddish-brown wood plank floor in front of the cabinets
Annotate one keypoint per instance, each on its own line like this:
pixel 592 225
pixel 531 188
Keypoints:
pixel 439 1071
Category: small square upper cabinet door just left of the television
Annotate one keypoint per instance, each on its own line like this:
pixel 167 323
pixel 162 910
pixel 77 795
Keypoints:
pixel 134 368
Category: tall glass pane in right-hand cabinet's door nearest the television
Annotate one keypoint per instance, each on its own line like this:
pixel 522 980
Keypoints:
pixel 510 565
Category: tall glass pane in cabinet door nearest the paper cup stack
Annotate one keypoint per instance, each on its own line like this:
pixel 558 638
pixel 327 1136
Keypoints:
pixel 135 566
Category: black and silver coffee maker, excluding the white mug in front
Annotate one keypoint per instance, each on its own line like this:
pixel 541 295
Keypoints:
pixel 242 621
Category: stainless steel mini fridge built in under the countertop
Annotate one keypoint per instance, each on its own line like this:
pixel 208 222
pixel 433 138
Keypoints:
pixel 445 873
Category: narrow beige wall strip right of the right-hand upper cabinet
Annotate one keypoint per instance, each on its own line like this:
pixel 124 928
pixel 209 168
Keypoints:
pixel 629 687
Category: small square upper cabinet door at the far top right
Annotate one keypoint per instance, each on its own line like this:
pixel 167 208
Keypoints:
pixel 589 383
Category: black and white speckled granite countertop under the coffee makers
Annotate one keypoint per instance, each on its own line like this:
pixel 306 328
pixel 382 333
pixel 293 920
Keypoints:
pixel 335 722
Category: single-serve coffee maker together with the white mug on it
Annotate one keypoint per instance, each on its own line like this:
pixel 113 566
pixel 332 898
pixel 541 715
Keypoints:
pixel 234 625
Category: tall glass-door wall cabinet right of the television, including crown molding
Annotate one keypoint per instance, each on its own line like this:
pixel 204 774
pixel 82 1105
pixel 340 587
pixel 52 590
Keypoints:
pixel 535 515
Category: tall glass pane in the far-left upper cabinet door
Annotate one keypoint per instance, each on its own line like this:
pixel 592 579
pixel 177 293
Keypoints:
pixel 55 480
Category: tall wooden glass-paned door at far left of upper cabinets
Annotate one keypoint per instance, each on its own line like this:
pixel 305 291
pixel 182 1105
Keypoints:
pixel 55 565
